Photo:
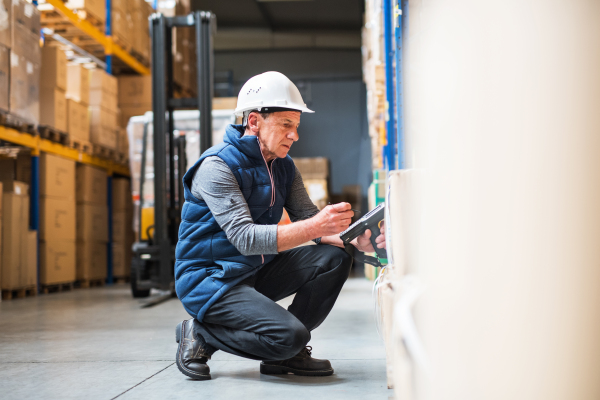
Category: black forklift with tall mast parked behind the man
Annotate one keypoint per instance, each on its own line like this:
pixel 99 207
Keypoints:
pixel 153 256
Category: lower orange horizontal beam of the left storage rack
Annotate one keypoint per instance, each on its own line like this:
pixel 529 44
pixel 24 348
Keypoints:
pixel 38 145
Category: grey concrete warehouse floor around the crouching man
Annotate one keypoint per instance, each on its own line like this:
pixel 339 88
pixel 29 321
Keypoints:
pixel 99 344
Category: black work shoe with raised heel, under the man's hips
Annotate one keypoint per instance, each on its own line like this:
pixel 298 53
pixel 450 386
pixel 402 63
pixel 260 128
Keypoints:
pixel 191 357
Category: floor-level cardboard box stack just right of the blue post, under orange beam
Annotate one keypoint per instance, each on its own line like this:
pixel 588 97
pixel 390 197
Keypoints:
pixel 57 220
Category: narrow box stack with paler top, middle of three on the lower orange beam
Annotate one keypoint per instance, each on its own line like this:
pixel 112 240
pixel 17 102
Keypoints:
pixel 78 93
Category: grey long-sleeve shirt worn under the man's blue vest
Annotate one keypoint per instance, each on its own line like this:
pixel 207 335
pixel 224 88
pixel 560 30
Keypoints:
pixel 215 184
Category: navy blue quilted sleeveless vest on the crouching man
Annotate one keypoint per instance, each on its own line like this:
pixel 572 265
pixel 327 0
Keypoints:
pixel 207 265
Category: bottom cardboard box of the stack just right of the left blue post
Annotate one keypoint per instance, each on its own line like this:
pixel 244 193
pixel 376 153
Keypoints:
pixel 57 261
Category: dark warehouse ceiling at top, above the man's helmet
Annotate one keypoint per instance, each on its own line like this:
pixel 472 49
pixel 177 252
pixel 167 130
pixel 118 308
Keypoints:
pixel 289 24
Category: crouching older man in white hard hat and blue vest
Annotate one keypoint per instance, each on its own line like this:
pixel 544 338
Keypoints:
pixel 233 260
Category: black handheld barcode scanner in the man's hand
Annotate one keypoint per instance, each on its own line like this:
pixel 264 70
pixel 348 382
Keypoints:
pixel 371 221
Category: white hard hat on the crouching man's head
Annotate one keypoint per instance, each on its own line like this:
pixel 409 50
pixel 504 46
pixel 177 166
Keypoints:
pixel 270 90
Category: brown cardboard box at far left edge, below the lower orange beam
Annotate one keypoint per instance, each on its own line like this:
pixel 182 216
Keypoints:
pixel 15 225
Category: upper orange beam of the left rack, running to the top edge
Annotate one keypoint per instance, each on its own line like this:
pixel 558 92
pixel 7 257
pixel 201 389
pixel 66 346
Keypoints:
pixel 98 37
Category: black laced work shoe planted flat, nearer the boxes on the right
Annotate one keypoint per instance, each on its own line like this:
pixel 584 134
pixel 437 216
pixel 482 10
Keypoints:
pixel 301 364
